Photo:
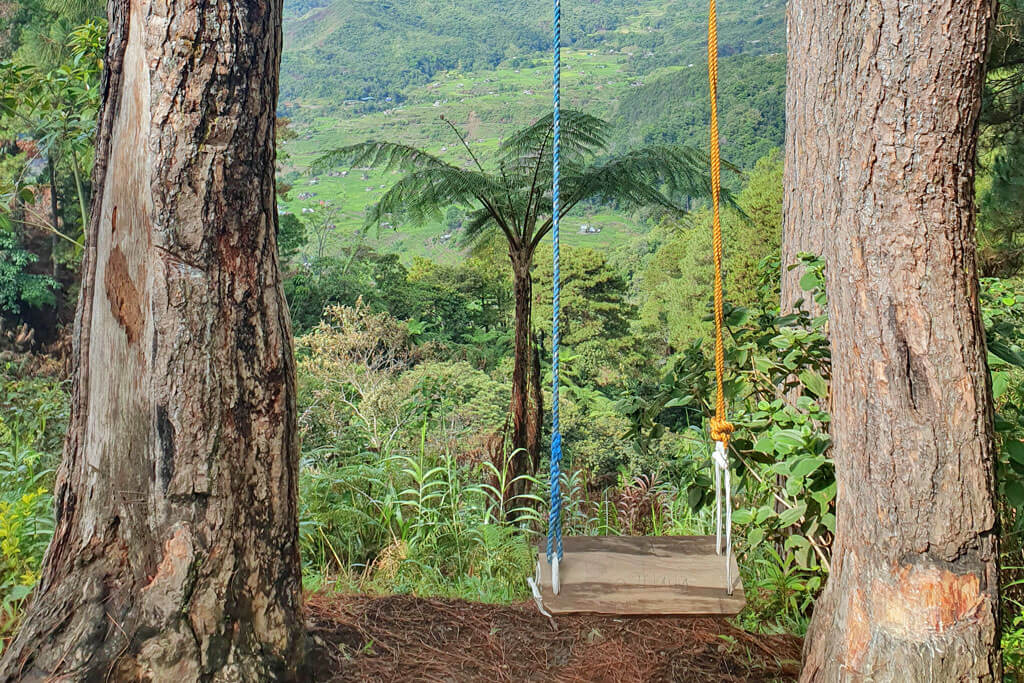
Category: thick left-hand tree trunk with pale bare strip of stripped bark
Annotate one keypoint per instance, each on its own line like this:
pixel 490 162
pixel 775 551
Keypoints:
pixel 176 556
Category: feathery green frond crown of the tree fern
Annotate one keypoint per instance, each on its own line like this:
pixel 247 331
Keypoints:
pixel 517 196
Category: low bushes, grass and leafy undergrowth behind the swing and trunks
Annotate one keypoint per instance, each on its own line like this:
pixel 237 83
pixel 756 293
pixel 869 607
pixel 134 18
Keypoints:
pixel 400 494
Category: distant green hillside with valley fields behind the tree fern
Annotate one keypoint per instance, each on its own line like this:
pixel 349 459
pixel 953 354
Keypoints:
pixel 354 71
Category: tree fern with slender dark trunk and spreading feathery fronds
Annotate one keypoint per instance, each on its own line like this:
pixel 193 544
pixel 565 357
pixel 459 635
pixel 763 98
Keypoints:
pixel 513 198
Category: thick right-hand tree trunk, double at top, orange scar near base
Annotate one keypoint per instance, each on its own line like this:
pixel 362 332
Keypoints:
pixel 884 108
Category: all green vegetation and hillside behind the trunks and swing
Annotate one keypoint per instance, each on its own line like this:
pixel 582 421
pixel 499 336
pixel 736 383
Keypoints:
pixel 406 337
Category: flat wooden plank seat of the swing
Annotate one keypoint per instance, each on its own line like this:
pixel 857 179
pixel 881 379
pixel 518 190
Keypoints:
pixel 615 575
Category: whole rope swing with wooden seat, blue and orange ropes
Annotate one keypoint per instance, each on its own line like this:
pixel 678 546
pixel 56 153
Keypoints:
pixel 692 575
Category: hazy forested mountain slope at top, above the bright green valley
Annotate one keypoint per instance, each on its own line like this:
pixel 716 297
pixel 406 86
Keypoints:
pixel 362 49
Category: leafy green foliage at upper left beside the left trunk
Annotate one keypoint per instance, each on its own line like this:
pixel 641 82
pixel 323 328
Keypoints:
pixel 48 119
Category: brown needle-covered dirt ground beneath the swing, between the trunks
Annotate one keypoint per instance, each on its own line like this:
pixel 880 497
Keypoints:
pixel 404 638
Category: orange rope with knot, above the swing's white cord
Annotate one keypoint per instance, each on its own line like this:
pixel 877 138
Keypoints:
pixel 720 428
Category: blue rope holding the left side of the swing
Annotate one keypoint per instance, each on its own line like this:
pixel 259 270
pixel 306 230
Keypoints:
pixel 556 515
